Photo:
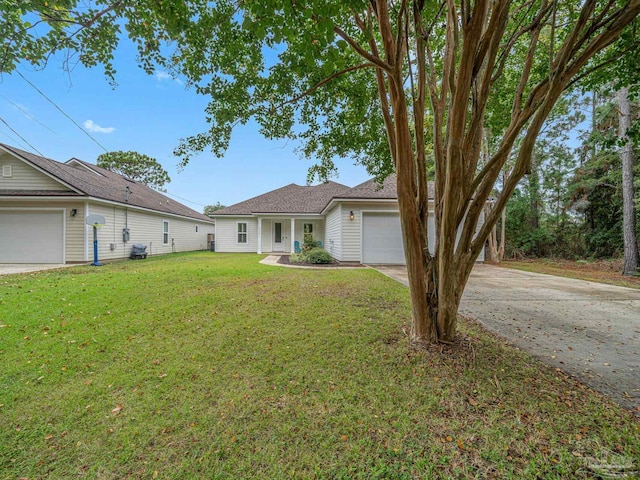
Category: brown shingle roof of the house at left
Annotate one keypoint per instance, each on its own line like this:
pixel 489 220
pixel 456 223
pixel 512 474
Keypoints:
pixel 100 183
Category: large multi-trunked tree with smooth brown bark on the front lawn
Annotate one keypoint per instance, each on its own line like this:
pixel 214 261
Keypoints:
pixel 393 84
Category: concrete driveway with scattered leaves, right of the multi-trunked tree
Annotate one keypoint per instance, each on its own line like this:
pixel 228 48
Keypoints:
pixel 589 330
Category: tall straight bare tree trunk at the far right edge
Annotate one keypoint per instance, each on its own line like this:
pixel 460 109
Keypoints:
pixel 628 199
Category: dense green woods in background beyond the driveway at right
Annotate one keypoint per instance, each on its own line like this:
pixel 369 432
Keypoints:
pixel 570 205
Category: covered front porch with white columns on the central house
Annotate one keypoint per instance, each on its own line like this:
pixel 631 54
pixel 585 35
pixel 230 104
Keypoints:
pixel 279 234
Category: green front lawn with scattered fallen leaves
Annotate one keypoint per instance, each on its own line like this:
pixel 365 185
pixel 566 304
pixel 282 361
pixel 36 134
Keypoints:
pixel 215 366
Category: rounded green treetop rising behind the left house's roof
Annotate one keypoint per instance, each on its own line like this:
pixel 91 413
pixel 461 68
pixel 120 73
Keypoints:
pixel 136 166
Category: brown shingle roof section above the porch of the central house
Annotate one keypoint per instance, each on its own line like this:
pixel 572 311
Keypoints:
pixel 290 199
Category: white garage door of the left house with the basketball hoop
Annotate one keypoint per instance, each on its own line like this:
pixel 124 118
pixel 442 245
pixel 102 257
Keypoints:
pixel 31 236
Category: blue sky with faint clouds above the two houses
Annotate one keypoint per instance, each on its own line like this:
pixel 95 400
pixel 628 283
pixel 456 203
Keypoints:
pixel 148 114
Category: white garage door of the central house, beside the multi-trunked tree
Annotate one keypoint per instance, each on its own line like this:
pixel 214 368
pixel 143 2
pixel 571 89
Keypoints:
pixel 382 238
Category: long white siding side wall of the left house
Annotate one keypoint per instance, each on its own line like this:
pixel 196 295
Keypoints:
pixel 144 228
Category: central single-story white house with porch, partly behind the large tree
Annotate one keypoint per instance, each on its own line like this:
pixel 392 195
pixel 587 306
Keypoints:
pixel 359 224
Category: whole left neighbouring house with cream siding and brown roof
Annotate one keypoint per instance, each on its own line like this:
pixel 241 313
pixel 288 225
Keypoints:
pixel 44 203
